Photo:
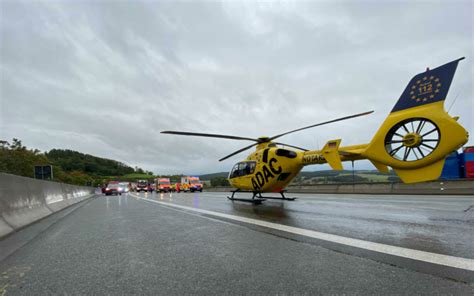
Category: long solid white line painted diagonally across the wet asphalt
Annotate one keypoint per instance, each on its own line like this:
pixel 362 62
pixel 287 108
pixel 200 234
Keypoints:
pixel 446 260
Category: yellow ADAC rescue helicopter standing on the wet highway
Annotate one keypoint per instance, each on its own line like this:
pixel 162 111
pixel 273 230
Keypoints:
pixel 414 140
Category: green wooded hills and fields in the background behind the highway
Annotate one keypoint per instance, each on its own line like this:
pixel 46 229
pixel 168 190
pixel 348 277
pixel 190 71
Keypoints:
pixel 78 168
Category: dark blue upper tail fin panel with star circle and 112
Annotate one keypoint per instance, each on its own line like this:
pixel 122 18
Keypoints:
pixel 427 87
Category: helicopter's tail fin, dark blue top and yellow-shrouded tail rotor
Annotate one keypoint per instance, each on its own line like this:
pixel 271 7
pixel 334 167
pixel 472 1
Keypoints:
pixel 418 134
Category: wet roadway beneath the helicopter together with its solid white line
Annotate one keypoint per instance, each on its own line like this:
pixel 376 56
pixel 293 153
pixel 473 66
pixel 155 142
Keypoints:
pixel 388 229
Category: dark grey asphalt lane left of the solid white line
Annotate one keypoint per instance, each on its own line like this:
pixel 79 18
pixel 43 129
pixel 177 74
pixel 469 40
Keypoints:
pixel 124 245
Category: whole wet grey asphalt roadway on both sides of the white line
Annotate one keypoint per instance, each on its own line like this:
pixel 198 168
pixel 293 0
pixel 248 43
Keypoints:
pixel 124 245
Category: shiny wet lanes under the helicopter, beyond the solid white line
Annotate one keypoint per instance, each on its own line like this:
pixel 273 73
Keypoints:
pixel 438 224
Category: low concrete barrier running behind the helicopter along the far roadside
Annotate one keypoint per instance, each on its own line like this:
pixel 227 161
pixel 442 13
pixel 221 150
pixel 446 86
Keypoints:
pixel 441 187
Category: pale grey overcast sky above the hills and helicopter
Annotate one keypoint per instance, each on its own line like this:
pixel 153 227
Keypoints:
pixel 105 77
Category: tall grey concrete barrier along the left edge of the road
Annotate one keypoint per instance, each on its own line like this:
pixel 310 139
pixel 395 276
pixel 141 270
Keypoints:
pixel 26 200
